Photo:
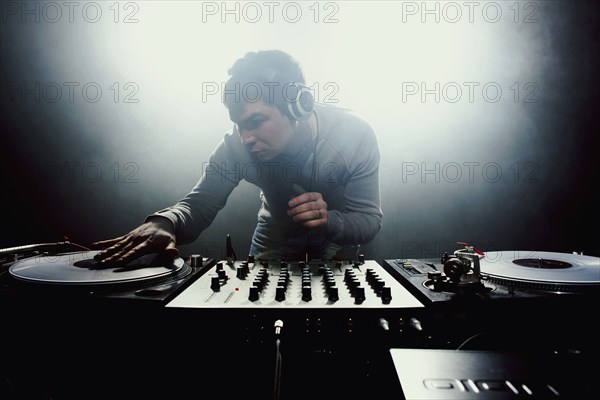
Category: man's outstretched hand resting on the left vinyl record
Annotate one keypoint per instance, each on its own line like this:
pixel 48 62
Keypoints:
pixel 154 236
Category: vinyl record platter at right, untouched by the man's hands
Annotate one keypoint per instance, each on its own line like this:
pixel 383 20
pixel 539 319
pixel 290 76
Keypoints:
pixel 538 269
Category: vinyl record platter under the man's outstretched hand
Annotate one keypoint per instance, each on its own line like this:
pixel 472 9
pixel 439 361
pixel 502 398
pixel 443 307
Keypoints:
pixel 80 269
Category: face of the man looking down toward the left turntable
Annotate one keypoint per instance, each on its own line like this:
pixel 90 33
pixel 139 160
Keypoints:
pixel 264 130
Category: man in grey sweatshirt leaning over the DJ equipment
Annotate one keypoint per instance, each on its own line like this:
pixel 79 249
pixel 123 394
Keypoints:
pixel 317 167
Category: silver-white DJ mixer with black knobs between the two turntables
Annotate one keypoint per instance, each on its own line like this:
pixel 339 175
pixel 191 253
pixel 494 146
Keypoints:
pixel 296 284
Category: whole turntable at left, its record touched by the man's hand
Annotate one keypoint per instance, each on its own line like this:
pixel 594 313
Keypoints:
pixel 154 278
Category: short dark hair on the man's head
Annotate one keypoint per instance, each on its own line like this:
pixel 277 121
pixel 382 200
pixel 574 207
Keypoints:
pixel 261 75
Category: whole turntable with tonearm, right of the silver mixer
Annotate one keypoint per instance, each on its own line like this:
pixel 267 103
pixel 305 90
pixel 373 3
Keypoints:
pixel 470 273
